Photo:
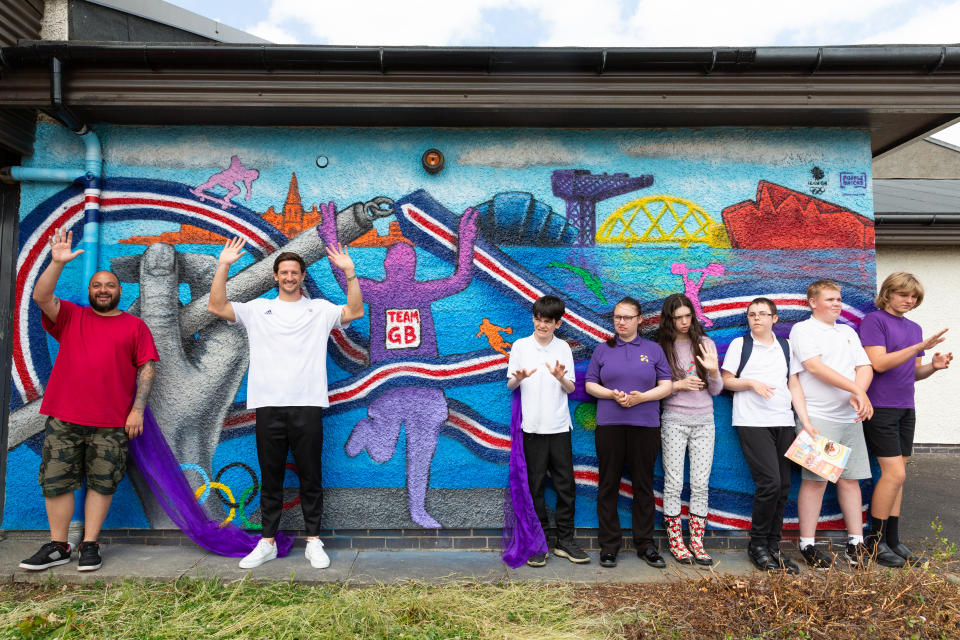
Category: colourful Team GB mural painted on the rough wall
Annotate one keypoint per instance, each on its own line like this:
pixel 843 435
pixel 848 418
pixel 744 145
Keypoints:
pixel 449 266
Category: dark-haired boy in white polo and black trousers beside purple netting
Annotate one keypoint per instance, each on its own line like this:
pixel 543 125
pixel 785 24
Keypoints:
pixel 542 366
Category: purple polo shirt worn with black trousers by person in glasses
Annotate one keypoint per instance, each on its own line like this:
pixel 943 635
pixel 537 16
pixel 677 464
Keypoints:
pixel 629 366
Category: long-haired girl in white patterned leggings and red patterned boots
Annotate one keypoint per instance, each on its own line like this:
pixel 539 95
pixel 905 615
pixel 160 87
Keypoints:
pixel 687 422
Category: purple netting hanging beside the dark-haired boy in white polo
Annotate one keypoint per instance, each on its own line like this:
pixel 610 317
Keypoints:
pixel 522 533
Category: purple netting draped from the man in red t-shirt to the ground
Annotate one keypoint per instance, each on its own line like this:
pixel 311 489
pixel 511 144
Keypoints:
pixel 160 468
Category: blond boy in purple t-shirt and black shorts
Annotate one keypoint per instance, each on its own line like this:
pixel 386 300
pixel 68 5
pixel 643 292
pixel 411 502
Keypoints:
pixel 895 346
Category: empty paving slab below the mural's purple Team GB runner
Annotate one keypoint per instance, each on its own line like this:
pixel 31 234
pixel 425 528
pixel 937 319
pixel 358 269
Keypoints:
pixel 428 566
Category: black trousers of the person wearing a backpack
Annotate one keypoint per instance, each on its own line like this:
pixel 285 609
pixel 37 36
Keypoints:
pixel 763 447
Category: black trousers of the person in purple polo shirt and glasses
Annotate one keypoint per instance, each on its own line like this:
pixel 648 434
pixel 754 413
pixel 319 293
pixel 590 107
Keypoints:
pixel 637 447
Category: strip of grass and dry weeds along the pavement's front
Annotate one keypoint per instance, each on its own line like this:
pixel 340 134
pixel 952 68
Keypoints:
pixel 883 604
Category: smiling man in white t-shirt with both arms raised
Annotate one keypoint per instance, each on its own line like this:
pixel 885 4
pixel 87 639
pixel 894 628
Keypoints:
pixel 287 384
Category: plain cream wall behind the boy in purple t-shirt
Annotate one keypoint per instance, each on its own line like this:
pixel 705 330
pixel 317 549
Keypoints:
pixel 938 268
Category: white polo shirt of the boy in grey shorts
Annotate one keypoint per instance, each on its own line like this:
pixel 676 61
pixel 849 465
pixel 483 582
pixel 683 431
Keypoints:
pixel 839 348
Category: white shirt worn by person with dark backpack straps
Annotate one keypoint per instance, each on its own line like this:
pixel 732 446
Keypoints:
pixel 768 365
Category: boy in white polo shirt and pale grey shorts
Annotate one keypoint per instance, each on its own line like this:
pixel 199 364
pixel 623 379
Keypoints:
pixel 834 372
